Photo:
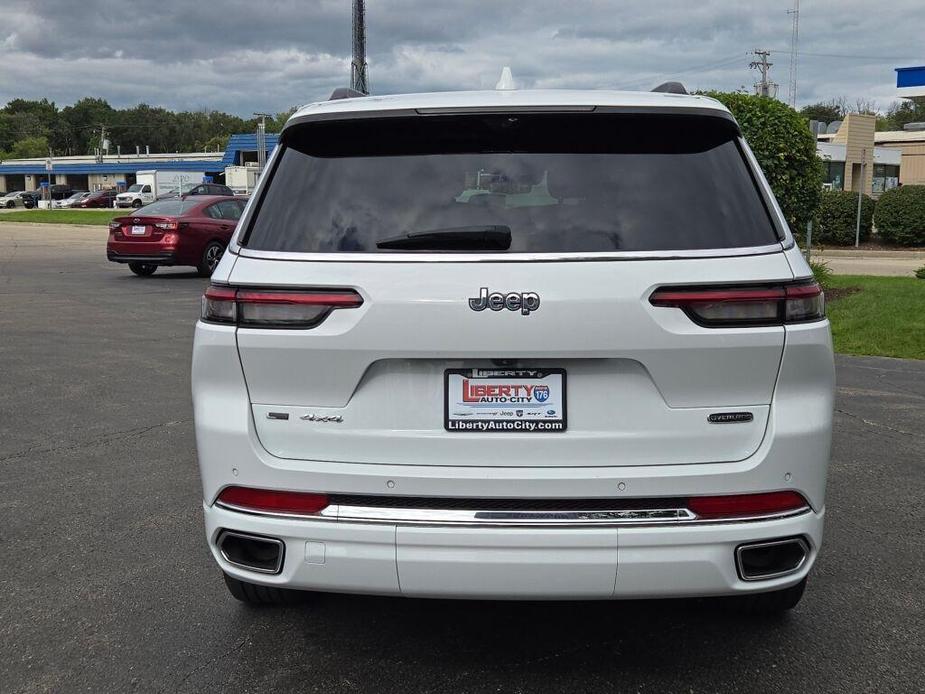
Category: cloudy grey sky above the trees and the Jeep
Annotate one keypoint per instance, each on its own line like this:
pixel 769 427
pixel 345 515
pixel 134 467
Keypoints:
pixel 253 55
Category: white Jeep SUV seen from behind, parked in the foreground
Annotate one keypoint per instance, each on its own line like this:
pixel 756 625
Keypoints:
pixel 514 345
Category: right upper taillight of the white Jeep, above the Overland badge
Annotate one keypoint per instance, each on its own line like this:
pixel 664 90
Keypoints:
pixel 745 306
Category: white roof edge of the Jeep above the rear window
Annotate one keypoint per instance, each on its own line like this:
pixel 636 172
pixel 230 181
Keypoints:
pixel 514 99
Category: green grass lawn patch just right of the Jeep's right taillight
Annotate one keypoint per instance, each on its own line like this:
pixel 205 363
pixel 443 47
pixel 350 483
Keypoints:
pixel 885 317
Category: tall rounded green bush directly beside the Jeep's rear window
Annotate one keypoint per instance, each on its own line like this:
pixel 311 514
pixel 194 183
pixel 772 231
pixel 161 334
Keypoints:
pixel 785 149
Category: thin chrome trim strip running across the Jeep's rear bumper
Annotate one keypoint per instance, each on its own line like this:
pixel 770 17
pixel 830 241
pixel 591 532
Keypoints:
pixel 516 518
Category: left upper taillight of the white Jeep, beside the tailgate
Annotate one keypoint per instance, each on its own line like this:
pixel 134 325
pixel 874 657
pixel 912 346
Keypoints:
pixel 266 308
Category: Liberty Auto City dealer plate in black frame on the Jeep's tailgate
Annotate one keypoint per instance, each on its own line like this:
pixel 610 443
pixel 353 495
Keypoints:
pixel 535 416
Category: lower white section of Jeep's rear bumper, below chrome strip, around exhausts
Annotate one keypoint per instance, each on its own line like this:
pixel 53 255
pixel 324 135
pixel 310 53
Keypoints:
pixel 657 561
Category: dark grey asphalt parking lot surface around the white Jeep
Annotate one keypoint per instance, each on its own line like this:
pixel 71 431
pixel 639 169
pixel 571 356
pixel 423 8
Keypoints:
pixel 106 583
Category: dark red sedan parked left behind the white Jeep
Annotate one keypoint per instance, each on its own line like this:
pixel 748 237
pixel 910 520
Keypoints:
pixel 193 231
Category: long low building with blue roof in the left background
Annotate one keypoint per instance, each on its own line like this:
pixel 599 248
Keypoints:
pixel 119 170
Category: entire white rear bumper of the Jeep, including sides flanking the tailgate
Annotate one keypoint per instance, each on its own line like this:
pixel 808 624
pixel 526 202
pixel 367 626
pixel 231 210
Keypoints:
pixel 638 561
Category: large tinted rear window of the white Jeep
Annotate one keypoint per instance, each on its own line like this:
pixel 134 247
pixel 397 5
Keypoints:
pixel 560 183
